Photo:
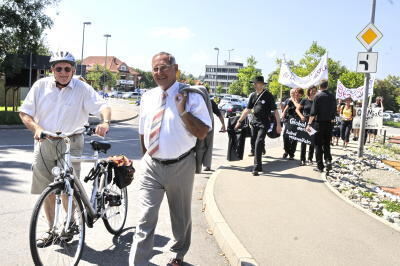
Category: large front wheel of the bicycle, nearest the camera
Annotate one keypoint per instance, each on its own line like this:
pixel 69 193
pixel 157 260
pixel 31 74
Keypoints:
pixel 56 244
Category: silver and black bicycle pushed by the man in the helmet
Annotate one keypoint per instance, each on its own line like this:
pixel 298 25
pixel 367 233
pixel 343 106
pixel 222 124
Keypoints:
pixel 73 209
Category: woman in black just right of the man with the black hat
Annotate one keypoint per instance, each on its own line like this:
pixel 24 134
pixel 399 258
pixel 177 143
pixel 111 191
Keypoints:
pixel 290 145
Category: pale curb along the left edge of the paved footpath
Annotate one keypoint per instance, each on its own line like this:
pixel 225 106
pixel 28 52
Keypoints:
pixel 233 249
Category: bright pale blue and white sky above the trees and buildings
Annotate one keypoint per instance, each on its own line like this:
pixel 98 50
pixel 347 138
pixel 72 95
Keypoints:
pixel 191 29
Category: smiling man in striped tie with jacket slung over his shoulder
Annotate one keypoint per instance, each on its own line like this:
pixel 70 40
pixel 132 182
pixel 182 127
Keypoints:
pixel 169 125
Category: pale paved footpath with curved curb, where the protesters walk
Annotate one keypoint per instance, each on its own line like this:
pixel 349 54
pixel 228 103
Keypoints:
pixel 288 216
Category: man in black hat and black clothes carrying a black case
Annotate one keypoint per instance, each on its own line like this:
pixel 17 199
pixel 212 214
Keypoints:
pixel 262 102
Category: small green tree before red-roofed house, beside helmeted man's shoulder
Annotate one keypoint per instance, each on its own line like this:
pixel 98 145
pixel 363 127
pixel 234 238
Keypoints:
pixel 100 78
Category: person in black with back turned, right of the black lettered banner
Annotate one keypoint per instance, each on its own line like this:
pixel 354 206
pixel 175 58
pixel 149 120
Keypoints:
pixel 323 113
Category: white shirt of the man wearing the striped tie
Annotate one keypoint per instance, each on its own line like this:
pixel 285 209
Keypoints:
pixel 175 139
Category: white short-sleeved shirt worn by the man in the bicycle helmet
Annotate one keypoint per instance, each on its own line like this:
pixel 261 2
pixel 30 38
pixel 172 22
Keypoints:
pixel 63 109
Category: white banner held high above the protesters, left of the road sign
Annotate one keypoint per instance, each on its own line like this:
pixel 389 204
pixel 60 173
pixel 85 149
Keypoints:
pixel 288 78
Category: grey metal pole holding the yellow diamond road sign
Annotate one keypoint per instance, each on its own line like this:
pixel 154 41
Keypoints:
pixel 365 98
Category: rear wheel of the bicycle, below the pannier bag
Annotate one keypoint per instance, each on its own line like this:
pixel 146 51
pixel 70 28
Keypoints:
pixel 116 208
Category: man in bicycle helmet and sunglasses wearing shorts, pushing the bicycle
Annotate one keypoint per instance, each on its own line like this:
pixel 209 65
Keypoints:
pixel 60 103
